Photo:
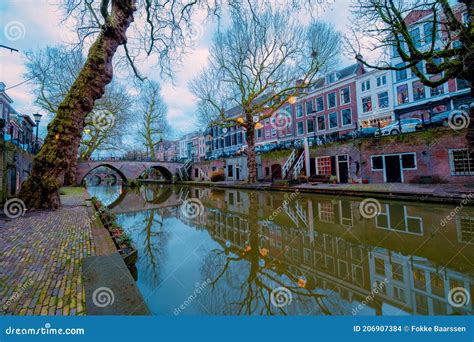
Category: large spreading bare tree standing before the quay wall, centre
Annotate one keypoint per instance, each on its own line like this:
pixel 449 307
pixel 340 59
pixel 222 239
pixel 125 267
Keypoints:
pixel 264 59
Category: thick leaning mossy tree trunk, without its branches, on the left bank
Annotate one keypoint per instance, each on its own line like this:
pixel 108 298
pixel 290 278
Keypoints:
pixel 59 151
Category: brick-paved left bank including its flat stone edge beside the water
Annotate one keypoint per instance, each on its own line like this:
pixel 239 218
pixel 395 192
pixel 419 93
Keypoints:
pixel 59 263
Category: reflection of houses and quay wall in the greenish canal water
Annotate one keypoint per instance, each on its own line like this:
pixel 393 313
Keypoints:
pixel 328 242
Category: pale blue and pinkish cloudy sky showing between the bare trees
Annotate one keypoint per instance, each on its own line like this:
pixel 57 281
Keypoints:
pixel 35 24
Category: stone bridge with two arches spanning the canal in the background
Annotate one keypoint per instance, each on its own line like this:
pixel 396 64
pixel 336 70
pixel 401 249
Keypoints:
pixel 127 170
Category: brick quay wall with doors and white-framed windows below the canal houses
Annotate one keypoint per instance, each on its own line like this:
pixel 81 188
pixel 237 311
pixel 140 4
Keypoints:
pixel 421 157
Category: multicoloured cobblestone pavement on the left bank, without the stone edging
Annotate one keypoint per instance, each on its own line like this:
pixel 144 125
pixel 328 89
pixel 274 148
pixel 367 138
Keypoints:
pixel 40 260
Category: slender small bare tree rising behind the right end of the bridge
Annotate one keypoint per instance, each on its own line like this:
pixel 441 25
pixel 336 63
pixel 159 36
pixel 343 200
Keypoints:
pixel 153 125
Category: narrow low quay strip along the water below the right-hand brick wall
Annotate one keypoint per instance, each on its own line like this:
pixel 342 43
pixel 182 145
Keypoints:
pixel 436 193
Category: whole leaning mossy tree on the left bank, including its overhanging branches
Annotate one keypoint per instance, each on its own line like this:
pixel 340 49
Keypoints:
pixel 163 28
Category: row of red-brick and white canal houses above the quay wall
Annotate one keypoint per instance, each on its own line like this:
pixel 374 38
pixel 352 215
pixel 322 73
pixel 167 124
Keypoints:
pixel 354 97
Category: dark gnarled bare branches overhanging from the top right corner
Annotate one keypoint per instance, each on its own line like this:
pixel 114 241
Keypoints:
pixel 446 45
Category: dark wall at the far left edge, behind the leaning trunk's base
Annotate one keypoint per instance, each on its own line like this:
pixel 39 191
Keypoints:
pixel 15 166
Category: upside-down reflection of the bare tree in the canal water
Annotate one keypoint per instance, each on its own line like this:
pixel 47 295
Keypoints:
pixel 243 280
